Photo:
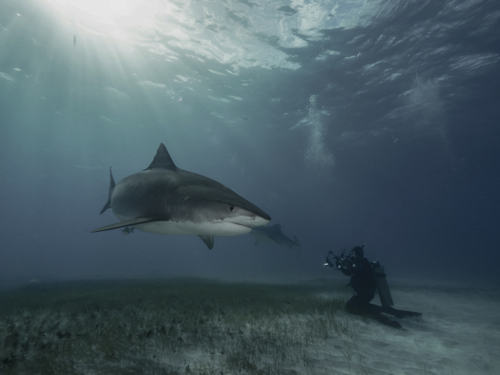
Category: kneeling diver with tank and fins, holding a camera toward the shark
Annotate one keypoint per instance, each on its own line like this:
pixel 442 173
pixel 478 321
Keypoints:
pixel 366 278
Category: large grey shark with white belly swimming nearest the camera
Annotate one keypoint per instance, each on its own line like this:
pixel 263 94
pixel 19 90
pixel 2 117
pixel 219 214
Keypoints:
pixel 165 199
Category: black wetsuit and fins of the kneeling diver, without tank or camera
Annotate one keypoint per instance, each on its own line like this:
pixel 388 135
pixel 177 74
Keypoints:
pixel 364 283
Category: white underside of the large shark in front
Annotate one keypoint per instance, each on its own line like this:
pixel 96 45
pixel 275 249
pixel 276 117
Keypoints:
pixel 220 228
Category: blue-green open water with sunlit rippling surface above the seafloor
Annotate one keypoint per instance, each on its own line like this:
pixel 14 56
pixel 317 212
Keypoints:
pixel 347 122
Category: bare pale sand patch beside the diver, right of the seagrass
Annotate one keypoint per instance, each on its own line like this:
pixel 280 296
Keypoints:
pixel 459 333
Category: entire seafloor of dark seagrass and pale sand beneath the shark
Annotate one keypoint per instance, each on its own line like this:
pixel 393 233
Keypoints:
pixel 207 327
